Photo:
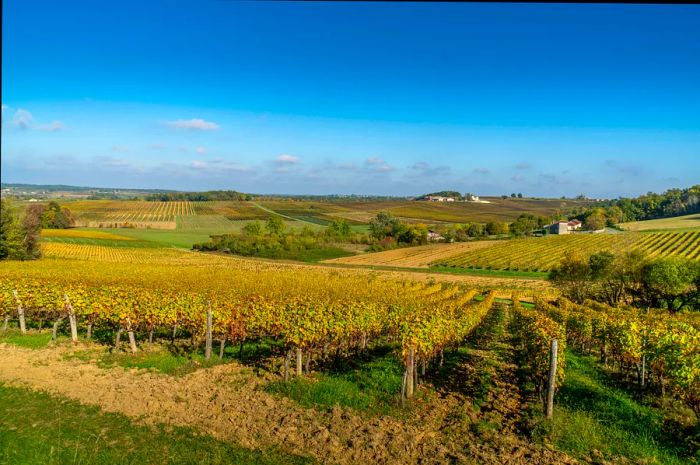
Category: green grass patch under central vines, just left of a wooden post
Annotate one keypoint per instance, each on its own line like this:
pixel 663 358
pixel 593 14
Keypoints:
pixel 370 386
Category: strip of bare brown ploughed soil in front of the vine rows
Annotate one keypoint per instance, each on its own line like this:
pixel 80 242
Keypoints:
pixel 226 402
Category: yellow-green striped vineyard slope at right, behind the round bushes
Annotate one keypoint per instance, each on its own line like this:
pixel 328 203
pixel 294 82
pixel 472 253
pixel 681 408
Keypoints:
pixel 543 254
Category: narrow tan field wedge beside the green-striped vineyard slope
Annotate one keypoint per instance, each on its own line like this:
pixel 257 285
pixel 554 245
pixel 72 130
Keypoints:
pixel 413 257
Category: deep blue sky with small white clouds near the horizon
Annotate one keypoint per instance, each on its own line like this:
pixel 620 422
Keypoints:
pixel 352 98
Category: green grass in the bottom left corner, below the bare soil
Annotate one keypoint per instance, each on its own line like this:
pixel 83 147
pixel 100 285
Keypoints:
pixel 40 429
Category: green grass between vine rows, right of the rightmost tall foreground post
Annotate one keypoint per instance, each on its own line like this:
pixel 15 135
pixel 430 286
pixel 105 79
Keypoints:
pixel 591 414
